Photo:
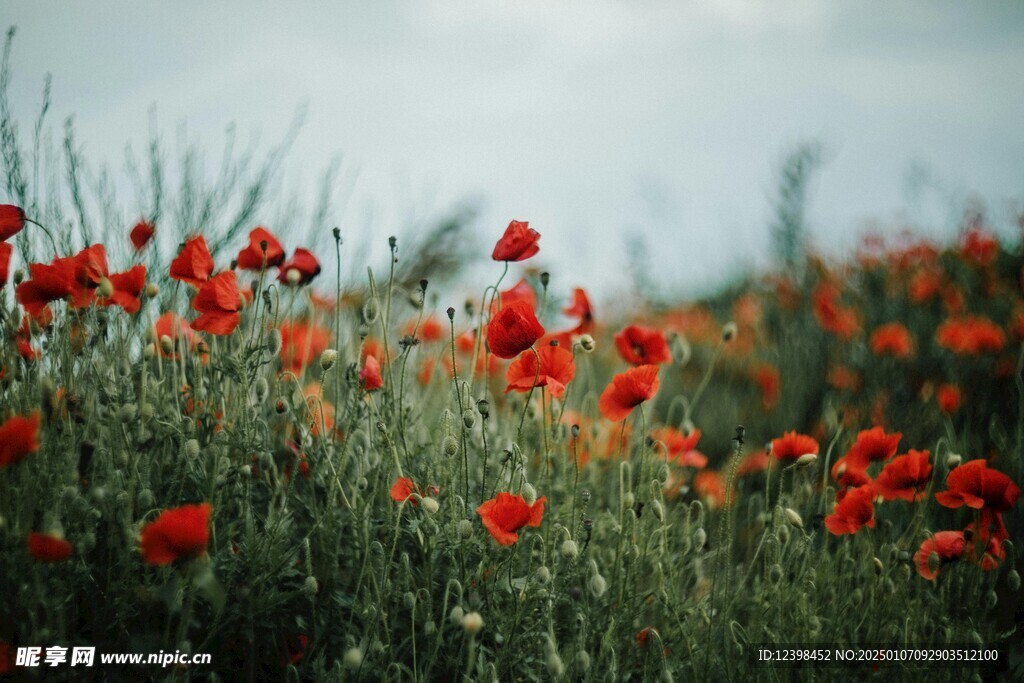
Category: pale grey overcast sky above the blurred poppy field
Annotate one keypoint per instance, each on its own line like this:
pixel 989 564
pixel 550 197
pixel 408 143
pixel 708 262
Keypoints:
pixel 598 121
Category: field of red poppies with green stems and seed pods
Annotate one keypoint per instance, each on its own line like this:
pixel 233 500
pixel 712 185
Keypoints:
pixel 218 448
